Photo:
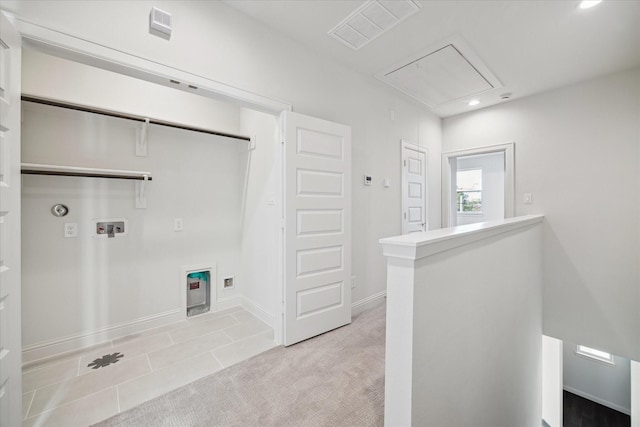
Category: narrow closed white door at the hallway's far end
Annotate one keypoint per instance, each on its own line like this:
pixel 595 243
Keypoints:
pixel 414 192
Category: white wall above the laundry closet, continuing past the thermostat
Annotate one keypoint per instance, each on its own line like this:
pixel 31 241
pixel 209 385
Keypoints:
pixel 215 41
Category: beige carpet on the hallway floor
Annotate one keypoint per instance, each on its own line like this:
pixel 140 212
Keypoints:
pixel 335 379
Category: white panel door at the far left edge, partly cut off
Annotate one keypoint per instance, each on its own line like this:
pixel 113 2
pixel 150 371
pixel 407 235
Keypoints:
pixel 10 329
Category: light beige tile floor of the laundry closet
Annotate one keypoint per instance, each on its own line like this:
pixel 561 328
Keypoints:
pixel 64 391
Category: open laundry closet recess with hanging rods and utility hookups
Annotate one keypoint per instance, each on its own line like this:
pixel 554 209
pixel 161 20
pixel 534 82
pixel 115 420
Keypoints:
pixel 204 198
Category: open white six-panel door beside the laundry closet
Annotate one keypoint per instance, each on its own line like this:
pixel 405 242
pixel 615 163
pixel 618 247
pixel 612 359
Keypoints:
pixel 317 221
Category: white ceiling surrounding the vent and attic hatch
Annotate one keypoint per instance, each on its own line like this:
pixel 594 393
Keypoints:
pixel 530 46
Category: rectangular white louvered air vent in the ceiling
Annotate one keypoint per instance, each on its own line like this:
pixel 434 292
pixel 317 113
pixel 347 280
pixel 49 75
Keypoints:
pixel 371 20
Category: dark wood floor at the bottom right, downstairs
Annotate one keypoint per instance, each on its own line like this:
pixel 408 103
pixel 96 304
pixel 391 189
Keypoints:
pixel 580 412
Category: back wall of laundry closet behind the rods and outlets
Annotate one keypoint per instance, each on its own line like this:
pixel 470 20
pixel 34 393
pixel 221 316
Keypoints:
pixel 79 286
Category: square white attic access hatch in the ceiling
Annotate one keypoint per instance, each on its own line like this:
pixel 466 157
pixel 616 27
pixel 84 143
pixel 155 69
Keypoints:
pixel 447 72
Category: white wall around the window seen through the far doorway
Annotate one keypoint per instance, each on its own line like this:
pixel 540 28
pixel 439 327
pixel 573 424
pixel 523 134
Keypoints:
pixel 492 166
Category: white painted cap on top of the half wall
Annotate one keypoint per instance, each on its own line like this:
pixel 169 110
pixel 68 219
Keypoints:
pixel 421 245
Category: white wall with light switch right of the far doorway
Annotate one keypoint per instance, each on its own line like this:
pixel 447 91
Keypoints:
pixel 578 153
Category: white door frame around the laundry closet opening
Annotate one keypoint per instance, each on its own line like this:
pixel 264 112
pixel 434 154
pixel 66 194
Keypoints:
pixel 85 52
